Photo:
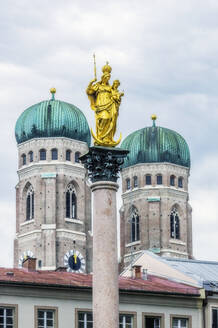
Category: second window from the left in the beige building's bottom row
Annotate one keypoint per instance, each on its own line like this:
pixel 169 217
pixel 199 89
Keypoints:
pixel 45 317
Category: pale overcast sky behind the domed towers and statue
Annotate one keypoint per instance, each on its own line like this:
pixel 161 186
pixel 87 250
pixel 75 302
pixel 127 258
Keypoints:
pixel 165 54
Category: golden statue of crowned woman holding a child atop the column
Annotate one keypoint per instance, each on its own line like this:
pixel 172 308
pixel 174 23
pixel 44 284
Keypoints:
pixel 105 100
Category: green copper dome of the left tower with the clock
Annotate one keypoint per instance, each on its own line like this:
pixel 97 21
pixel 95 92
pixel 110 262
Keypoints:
pixel 52 118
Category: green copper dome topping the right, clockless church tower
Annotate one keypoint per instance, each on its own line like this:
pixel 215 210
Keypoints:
pixel 156 144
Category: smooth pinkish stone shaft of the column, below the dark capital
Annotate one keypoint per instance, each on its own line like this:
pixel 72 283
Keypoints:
pixel 105 264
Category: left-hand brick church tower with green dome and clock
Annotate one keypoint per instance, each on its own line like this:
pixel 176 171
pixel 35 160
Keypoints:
pixel 53 200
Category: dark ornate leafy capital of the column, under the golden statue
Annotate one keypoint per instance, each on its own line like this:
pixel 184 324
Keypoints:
pixel 104 163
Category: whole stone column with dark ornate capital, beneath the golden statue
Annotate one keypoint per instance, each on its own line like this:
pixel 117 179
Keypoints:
pixel 103 165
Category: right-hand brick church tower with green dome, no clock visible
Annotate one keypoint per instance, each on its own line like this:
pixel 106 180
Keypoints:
pixel 155 214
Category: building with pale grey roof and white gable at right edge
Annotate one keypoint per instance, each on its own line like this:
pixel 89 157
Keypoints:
pixel 202 274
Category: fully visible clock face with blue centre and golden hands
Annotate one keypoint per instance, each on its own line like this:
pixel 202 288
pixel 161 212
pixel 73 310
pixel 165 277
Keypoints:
pixel 74 261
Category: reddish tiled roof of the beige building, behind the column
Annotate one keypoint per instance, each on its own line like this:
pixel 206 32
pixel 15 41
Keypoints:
pixel 66 279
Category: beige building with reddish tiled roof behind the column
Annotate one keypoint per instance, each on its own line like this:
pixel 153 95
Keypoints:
pixel 31 298
